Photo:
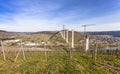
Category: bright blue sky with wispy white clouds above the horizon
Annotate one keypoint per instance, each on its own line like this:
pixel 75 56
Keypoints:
pixel 51 15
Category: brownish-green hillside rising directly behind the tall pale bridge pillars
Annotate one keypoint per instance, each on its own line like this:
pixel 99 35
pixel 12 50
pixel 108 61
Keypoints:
pixel 51 36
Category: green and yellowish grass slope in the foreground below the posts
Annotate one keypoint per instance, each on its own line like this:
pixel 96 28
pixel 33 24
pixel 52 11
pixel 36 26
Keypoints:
pixel 58 63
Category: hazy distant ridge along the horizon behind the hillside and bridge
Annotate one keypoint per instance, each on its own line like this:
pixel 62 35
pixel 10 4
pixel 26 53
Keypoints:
pixel 7 34
